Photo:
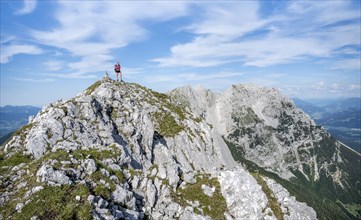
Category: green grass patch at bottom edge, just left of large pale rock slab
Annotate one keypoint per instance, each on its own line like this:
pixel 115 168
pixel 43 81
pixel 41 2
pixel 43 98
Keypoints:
pixel 214 206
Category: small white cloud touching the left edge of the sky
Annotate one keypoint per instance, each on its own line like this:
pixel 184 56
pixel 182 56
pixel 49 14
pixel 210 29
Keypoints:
pixel 8 51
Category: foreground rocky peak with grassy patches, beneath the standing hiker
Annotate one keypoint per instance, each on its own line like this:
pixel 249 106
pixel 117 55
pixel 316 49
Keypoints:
pixel 119 150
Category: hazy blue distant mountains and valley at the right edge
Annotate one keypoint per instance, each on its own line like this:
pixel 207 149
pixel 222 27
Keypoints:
pixel 342 118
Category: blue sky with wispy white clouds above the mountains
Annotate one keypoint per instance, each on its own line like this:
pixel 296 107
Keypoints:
pixel 54 50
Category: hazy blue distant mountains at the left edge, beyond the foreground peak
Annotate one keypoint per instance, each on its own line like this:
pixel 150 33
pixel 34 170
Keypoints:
pixel 13 117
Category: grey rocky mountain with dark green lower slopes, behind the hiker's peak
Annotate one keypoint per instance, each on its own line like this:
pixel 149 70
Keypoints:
pixel 265 131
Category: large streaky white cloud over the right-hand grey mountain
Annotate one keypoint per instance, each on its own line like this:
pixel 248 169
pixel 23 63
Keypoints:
pixel 227 34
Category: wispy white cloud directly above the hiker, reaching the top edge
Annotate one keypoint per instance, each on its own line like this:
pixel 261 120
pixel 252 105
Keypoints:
pixel 92 30
